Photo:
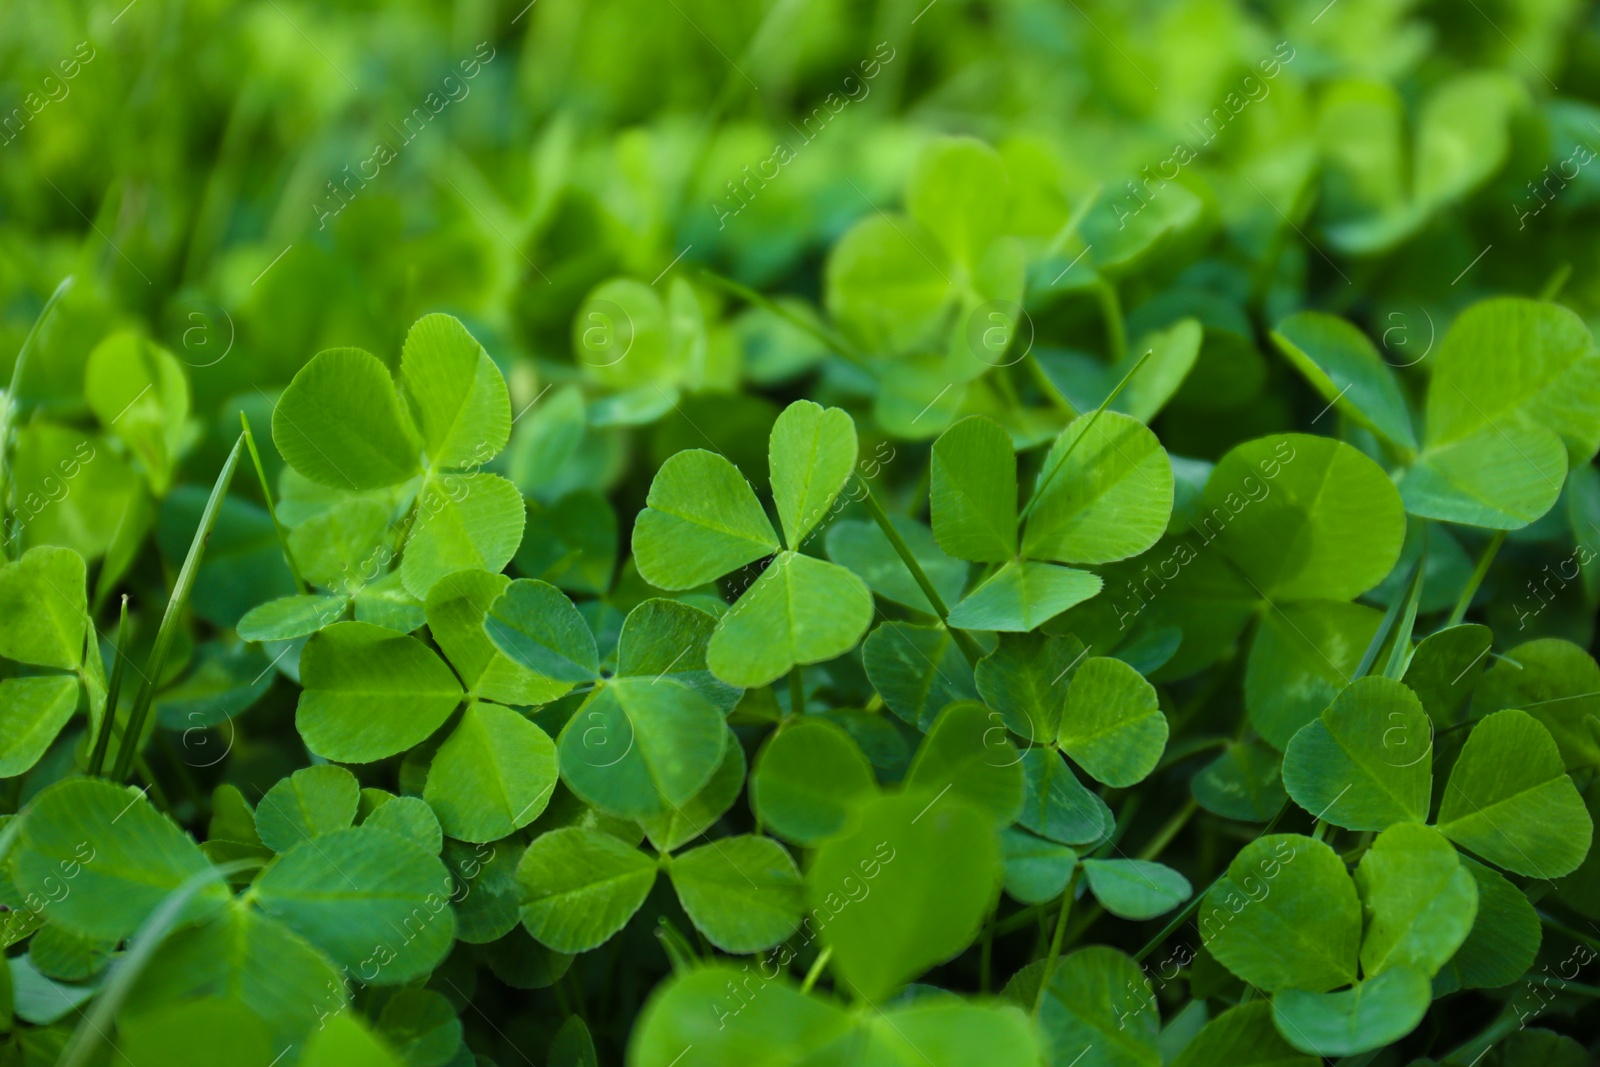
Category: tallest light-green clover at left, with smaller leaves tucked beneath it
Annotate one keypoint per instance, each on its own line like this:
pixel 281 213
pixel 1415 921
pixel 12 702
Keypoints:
pixel 345 426
